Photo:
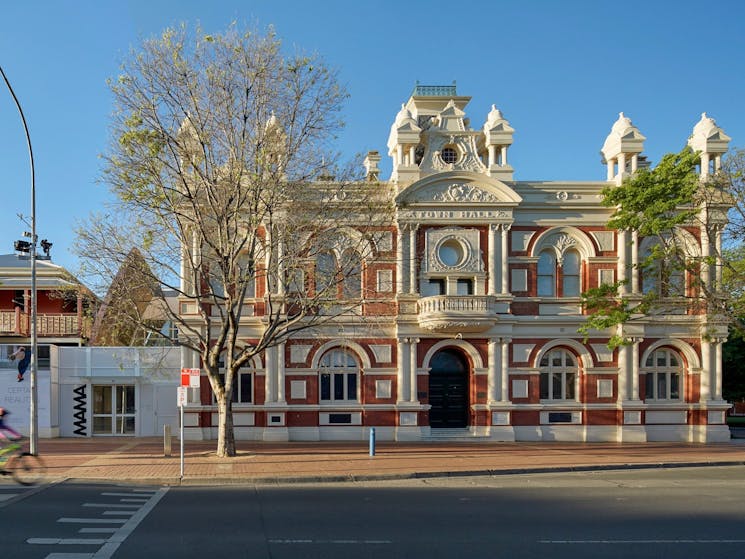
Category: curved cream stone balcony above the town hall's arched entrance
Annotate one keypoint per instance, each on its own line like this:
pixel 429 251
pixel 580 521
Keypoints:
pixel 457 313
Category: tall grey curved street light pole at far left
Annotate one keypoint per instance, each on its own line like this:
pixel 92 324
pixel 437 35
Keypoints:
pixel 34 427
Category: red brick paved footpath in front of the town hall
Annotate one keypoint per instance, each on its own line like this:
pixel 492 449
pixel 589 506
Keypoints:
pixel 142 460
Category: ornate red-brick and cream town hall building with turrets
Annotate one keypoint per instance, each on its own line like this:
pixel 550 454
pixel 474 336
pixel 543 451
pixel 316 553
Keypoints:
pixel 475 294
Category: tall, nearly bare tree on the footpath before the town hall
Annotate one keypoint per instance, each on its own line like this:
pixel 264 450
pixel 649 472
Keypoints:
pixel 225 183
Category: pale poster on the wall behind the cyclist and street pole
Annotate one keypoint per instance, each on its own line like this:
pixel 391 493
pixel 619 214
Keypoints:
pixel 15 397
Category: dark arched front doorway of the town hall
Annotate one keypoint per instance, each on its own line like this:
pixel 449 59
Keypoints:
pixel 448 390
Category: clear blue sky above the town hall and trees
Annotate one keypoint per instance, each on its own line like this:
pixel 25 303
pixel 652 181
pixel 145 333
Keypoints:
pixel 560 71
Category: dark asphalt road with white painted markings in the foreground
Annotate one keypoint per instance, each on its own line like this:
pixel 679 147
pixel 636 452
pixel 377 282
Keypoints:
pixel 679 512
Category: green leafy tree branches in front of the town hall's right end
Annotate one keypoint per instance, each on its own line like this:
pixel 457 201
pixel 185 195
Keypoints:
pixel 668 204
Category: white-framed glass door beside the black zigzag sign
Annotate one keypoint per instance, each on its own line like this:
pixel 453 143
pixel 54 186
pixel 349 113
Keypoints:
pixel 114 409
